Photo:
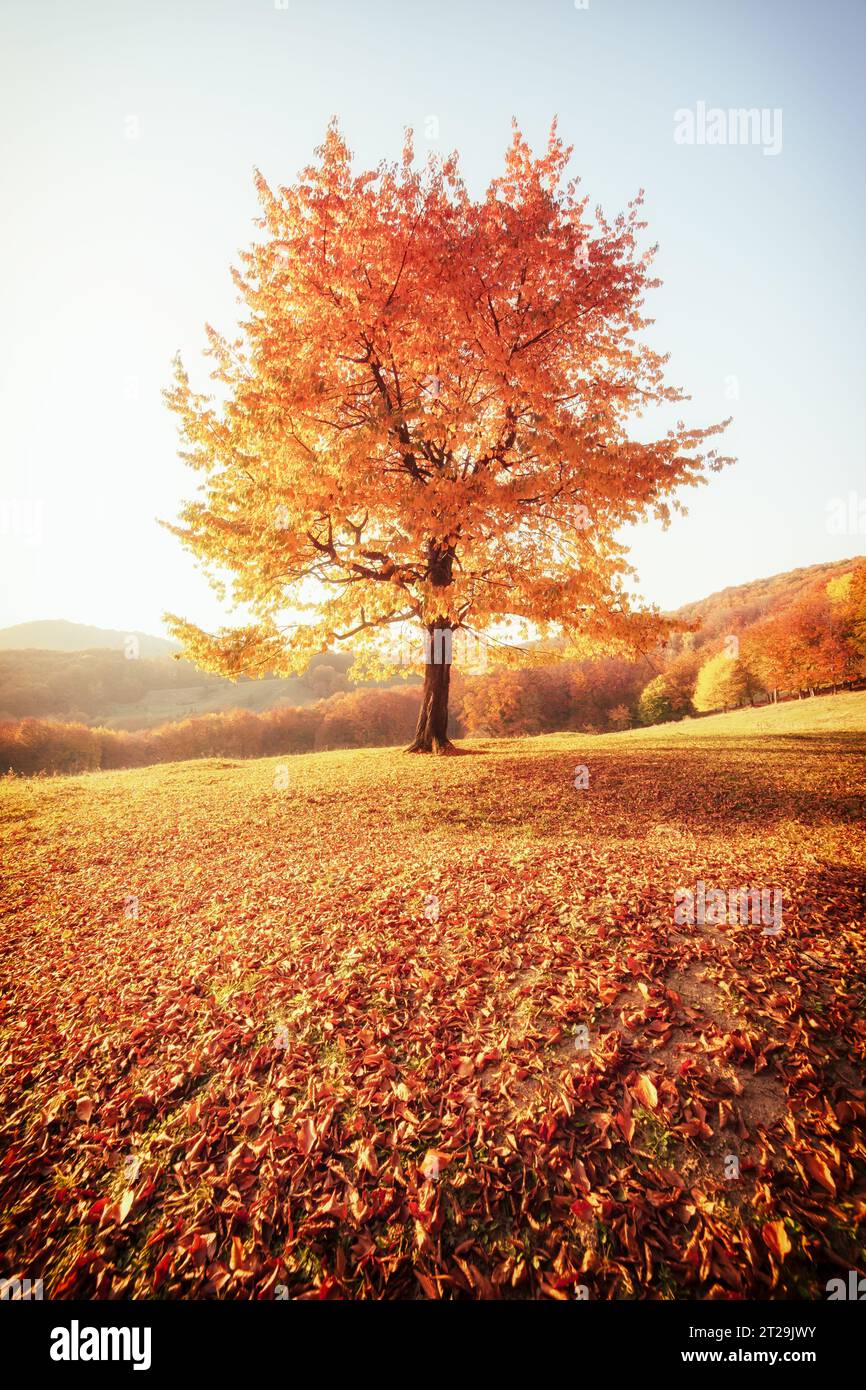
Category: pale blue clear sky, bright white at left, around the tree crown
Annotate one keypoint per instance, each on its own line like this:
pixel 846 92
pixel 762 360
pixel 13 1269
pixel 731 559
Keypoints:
pixel 130 136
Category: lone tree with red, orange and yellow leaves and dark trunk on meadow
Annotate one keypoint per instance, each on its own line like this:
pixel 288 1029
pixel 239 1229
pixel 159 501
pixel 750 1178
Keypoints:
pixel 426 420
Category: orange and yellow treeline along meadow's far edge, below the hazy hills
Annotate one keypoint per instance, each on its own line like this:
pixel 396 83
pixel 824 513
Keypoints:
pixel 817 643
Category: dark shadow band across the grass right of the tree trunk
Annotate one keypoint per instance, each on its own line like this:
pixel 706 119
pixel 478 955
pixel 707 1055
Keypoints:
pixel 714 789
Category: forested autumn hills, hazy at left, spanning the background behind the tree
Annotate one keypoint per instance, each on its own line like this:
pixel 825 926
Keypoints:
pixel 794 635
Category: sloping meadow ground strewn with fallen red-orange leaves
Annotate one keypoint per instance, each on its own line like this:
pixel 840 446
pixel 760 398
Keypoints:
pixel 327 1039
